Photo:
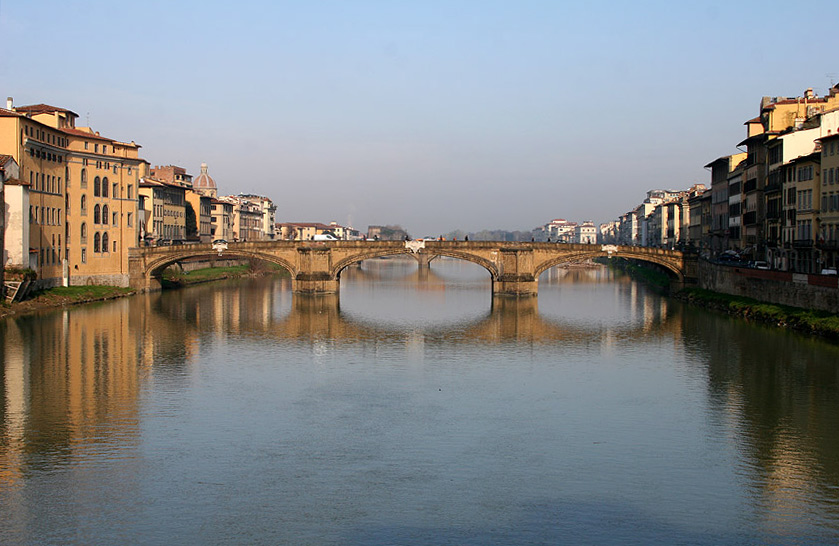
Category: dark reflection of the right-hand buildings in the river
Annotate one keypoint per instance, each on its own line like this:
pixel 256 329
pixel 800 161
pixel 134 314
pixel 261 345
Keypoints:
pixel 776 396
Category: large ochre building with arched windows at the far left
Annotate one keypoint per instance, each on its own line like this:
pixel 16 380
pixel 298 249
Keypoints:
pixel 82 202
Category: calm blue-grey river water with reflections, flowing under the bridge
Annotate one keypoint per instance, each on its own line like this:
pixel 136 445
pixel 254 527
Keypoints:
pixel 415 409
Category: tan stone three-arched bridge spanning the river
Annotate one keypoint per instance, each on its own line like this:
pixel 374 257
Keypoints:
pixel 315 266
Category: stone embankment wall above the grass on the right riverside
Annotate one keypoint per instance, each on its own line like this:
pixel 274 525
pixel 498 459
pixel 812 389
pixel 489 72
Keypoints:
pixel 794 289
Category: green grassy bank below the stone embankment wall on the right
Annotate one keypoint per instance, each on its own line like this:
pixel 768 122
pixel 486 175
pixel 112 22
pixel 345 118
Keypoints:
pixel 818 323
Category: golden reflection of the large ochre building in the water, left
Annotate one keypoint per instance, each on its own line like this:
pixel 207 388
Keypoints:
pixel 70 382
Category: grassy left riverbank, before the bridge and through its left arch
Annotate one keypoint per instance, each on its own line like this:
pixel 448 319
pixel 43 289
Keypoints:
pixel 63 296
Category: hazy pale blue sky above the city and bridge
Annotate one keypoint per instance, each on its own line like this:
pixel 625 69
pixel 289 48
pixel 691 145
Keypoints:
pixel 434 115
